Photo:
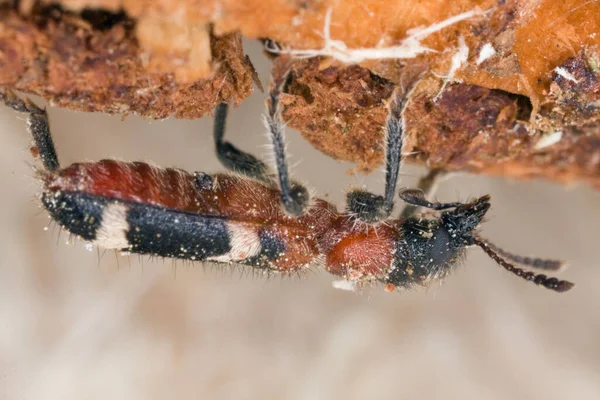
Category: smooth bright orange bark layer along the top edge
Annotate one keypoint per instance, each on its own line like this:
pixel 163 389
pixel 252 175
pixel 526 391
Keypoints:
pixel 533 35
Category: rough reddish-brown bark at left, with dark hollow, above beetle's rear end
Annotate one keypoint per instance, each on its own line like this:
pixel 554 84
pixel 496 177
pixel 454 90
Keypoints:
pixel 79 66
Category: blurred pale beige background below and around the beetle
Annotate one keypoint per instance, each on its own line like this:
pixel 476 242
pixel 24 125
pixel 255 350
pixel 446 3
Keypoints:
pixel 79 324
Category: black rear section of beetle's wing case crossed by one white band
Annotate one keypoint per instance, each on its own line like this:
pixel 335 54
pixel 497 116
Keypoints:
pixel 142 228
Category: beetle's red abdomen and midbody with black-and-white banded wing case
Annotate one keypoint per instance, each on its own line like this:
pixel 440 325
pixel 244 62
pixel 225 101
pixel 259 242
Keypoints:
pixel 138 208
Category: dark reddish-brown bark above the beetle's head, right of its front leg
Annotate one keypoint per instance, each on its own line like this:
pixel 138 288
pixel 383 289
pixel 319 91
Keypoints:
pixel 471 128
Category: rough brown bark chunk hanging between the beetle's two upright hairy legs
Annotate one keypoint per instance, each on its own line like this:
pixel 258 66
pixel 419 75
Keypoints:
pixel 341 111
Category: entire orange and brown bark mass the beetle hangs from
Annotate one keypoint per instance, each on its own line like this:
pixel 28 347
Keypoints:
pixel 512 90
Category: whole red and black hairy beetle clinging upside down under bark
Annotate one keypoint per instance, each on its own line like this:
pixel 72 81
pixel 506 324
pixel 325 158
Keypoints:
pixel 262 219
